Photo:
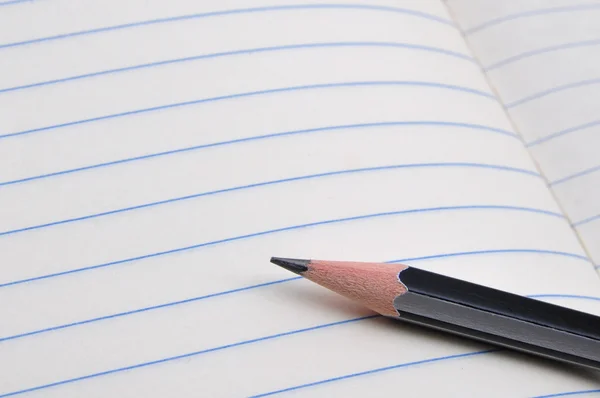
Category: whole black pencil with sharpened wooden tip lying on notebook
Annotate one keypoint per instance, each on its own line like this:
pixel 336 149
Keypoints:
pixel 459 307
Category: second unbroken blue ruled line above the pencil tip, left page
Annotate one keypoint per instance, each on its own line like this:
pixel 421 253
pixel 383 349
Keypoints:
pixel 268 183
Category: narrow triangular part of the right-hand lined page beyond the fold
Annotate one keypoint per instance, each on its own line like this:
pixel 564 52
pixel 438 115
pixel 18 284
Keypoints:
pixel 543 57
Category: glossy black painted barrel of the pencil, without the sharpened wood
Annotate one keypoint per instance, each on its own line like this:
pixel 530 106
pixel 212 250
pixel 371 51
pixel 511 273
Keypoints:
pixel 500 318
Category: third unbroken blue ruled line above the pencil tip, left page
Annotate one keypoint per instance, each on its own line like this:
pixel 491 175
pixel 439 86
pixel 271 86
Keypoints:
pixel 262 137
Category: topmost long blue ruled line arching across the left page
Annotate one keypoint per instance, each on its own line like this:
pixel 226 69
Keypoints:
pixel 223 13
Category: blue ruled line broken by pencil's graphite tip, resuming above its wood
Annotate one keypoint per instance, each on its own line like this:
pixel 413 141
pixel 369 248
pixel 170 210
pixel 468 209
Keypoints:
pixel 245 288
